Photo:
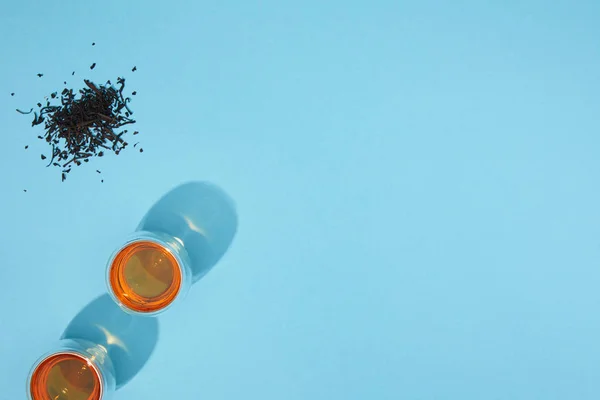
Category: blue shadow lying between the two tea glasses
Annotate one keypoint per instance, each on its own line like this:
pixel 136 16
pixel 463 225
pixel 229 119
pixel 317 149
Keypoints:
pixel 128 339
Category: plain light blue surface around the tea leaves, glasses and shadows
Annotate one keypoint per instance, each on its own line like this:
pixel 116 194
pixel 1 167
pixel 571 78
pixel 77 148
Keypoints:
pixel 416 184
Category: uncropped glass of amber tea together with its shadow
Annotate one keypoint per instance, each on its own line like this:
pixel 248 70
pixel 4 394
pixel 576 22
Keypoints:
pixel 181 237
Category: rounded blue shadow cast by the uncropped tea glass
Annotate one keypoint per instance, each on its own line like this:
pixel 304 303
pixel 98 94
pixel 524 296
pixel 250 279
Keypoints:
pixel 202 216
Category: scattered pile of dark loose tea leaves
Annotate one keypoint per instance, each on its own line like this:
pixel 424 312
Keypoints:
pixel 85 126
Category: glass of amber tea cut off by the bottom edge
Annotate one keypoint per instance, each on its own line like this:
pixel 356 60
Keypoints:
pixel 72 370
